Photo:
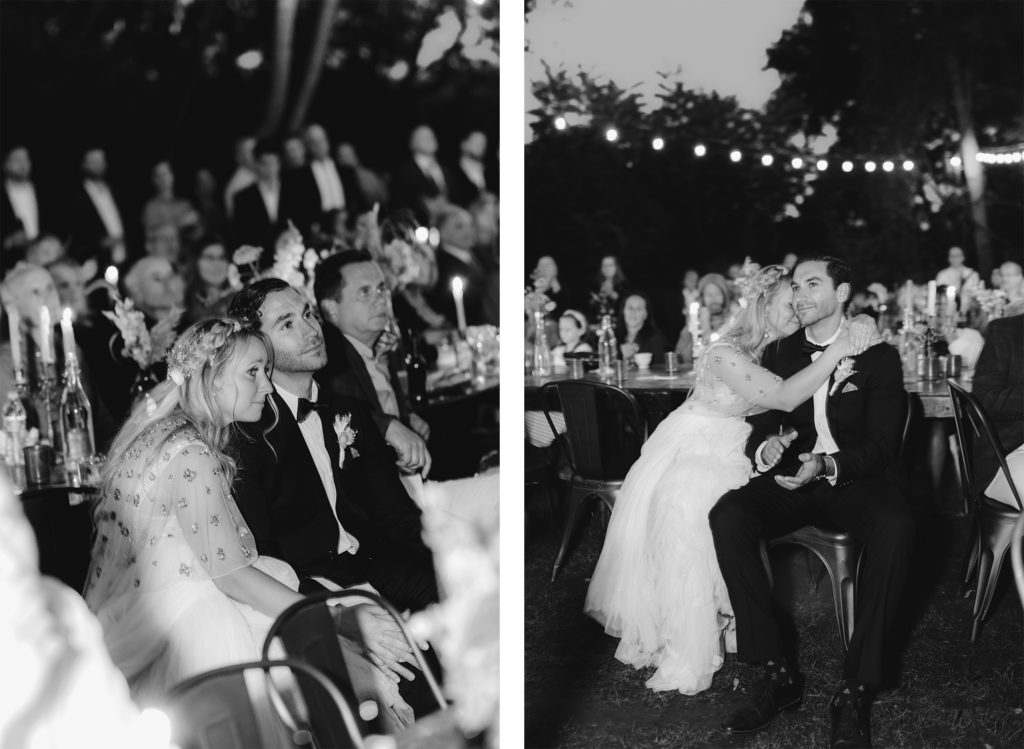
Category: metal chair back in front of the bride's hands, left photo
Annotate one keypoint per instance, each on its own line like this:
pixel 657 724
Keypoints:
pixel 307 632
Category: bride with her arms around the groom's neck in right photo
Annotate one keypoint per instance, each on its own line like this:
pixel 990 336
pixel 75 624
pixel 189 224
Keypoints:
pixel 657 585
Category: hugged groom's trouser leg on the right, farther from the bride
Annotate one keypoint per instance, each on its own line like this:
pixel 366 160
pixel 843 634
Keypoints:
pixel 877 514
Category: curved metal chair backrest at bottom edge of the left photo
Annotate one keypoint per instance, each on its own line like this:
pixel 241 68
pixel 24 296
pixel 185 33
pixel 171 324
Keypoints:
pixel 240 708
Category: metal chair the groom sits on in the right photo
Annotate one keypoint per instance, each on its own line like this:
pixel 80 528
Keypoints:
pixel 840 554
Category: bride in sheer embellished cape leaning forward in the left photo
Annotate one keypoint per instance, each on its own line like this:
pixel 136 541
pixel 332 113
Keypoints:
pixel 176 579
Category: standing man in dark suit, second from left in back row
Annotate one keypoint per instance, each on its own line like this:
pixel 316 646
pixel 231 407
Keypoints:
pixel 95 217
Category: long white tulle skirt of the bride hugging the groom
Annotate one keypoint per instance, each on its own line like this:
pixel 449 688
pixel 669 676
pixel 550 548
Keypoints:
pixel 658 586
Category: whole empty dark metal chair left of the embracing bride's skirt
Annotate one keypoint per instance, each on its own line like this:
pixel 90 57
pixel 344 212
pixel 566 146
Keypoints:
pixel 606 430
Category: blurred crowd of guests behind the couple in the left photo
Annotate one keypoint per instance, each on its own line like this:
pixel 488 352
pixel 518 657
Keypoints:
pixel 81 251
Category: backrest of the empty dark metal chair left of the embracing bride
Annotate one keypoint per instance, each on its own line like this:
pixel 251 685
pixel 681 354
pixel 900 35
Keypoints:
pixel 604 426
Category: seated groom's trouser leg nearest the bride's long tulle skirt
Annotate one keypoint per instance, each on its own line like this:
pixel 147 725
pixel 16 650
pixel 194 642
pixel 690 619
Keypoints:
pixel 739 522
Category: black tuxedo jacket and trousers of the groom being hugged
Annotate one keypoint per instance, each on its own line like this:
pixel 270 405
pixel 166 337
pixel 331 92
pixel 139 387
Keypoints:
pixel 866 415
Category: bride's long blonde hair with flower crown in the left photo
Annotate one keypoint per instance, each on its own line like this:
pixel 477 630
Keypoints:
pixel 195 363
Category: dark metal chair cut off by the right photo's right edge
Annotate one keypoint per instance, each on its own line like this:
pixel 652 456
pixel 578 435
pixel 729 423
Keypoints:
pixel 994 520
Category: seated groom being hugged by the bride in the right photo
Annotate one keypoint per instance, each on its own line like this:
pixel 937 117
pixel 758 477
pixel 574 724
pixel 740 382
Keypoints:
pixel 839 470
